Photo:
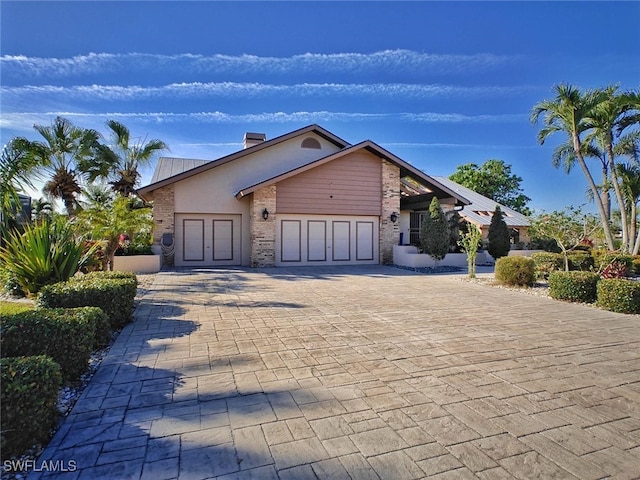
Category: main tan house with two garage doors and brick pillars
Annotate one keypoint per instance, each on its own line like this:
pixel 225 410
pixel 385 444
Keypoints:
pixel 304 198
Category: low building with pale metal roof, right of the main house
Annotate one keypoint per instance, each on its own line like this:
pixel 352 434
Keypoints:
pixel 481 210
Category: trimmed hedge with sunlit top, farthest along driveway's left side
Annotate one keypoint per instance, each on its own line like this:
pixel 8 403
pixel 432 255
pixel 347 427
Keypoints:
pixel 113 292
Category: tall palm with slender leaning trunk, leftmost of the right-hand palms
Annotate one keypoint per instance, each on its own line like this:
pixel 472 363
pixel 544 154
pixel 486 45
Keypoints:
pixel 567 113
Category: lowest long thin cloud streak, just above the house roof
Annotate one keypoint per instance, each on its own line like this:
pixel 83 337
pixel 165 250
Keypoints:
pixel 20 119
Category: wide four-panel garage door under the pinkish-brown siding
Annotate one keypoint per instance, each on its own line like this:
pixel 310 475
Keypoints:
pixel 329 240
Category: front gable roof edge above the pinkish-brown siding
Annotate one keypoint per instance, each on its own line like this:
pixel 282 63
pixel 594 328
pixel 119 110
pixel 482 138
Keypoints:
pixel 406 169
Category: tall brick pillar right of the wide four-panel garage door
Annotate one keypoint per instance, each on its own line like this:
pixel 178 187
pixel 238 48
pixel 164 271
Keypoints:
pixel 389 231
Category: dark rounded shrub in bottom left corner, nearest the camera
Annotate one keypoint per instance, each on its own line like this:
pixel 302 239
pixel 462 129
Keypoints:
pixel 28 409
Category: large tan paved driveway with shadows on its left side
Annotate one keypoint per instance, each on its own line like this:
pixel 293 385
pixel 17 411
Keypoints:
pixel 358 373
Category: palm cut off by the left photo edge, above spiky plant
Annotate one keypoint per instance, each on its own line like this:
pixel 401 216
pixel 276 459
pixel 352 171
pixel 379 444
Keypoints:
pixel 18 166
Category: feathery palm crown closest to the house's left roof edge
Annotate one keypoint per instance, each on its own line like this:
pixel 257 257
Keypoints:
pixel 120 162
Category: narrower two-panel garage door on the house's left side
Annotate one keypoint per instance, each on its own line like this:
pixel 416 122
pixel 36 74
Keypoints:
pixel 207 240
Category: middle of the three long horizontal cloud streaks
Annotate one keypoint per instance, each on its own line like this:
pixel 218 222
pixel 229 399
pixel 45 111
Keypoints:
pixel 244 90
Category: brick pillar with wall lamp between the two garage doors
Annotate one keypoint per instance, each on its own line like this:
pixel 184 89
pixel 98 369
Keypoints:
pixel 263 232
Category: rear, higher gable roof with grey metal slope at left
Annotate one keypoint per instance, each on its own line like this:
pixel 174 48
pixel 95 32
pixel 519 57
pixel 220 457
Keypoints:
pixel 177 171
